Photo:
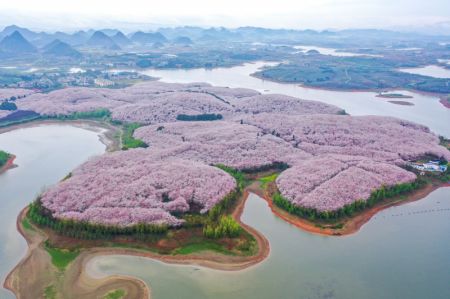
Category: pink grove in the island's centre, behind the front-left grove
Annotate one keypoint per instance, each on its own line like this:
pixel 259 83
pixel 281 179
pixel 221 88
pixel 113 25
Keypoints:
pixel 221 142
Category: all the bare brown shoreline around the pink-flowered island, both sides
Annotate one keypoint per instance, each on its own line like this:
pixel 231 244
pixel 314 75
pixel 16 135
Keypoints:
pixel 77 278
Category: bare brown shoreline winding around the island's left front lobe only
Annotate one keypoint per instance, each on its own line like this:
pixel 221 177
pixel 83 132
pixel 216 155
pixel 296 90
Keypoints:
pixel 79 283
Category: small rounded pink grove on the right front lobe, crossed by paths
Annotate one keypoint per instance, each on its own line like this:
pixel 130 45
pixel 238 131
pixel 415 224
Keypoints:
pixel 327 184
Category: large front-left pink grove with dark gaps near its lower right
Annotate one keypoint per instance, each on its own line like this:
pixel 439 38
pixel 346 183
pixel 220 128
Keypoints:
pixel 133 186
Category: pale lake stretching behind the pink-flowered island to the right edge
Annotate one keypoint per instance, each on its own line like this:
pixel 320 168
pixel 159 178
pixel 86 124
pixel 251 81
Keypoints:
pixel 426 110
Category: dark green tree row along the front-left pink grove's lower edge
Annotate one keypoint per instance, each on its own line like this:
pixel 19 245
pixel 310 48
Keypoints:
pixel 84 230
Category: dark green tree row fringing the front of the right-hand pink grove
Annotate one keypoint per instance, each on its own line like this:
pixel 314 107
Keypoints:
pixel 348 210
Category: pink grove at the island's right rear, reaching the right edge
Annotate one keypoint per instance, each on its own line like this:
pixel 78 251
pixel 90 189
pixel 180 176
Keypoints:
pixel 375 137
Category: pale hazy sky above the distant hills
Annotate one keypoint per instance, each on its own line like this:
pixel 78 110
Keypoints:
pixel 316 14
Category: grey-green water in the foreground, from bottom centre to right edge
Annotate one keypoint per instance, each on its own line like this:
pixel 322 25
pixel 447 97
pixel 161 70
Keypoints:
pixel 401 253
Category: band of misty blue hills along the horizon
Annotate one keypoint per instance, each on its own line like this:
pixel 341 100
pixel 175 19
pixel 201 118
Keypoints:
pixel 15 40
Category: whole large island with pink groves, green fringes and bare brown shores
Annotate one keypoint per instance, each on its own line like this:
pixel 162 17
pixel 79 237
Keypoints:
pixel 187 156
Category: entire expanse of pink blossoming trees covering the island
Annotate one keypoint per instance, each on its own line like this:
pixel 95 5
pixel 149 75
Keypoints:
pixel 334 159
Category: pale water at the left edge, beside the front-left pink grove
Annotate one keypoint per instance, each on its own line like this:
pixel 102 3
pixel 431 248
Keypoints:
pixel 45 154
